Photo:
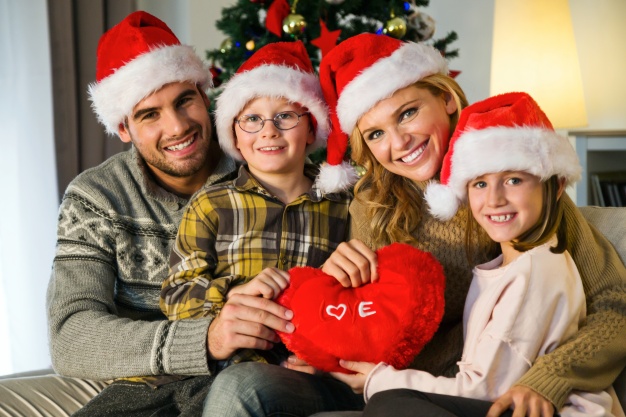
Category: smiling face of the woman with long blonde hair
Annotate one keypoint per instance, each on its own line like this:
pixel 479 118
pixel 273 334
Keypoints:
pixel 408 133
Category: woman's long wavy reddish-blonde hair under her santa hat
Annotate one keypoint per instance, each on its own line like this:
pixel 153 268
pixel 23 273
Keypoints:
pixel 395 203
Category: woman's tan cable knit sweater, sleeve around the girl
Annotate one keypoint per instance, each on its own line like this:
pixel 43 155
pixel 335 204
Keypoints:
pixel 588 362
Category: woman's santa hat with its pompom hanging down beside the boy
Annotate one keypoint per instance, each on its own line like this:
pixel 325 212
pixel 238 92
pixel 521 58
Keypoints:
pixel 357 74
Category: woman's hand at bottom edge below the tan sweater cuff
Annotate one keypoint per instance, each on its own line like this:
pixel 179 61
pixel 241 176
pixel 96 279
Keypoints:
pixel 524 402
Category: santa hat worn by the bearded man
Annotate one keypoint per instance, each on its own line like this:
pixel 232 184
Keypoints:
pixel 135 58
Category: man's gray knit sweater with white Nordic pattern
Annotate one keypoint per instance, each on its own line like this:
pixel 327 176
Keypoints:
pixel 116 228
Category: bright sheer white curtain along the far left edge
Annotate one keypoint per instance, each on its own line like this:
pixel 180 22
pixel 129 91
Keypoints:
pixel 29 204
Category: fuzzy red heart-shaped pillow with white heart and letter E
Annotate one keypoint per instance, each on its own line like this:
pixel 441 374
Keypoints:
pixel 387 321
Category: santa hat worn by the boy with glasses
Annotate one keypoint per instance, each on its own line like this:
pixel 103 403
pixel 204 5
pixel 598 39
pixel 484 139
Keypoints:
pixel 278 69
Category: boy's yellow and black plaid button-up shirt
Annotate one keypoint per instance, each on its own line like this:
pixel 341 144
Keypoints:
pixel 232 231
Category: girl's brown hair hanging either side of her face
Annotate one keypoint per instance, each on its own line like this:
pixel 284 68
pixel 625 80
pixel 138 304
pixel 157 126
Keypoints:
pixel 551 221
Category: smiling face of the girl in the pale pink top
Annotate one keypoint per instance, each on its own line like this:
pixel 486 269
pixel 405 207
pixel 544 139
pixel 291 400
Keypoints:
pixel 506 204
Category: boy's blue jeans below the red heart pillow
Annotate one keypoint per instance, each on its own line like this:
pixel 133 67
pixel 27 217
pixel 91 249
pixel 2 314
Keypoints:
pixel 252 389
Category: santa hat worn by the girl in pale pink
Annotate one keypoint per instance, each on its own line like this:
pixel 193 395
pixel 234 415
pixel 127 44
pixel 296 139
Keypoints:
pixel 508 132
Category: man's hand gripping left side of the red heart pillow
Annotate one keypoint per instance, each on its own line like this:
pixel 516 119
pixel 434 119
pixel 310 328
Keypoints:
pixel 247 321
